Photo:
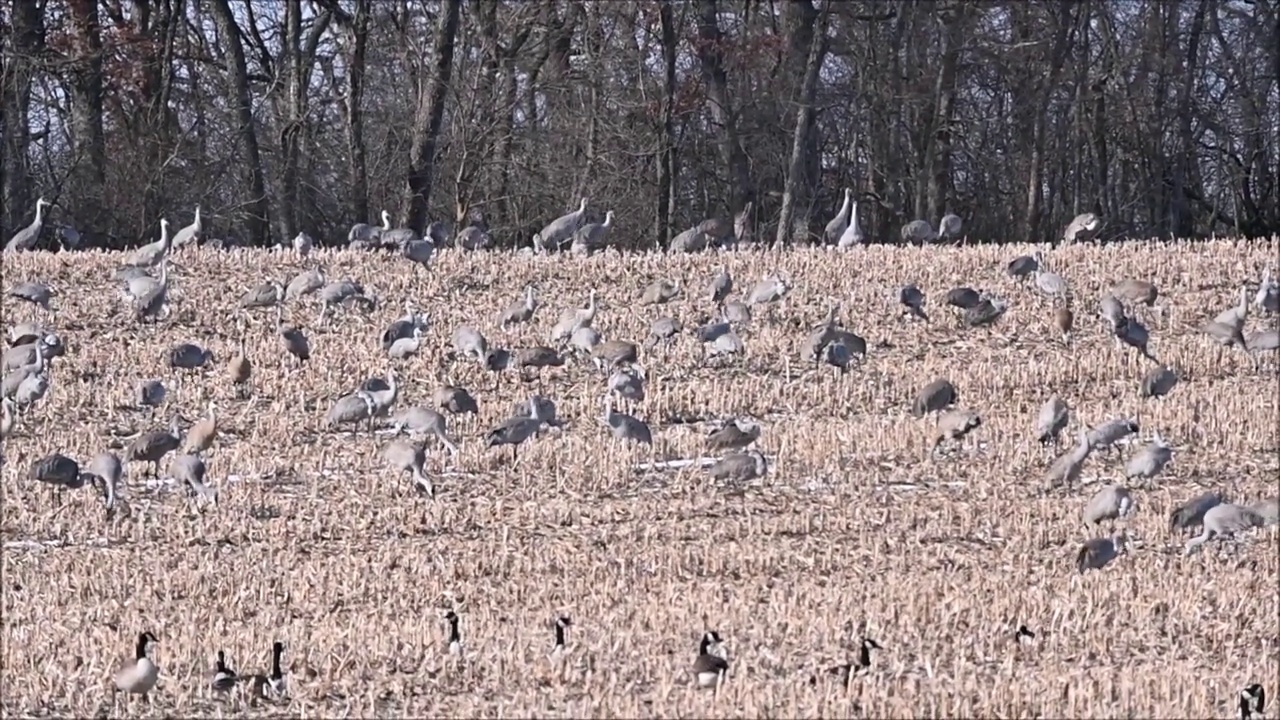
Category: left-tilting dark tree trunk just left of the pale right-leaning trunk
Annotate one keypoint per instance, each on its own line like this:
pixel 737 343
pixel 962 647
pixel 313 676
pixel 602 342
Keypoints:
pixel 711 57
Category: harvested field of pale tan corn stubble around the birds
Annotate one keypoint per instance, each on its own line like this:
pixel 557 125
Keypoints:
pixel 854 531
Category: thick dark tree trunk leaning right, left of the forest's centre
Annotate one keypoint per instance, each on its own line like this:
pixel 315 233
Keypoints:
pixel 428 119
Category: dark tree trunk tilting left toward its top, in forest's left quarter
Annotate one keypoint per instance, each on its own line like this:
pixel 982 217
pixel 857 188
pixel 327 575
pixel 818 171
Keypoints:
pixel 257 229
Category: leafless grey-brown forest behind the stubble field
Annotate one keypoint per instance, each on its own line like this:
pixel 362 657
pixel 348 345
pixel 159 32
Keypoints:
pixel 309 116
